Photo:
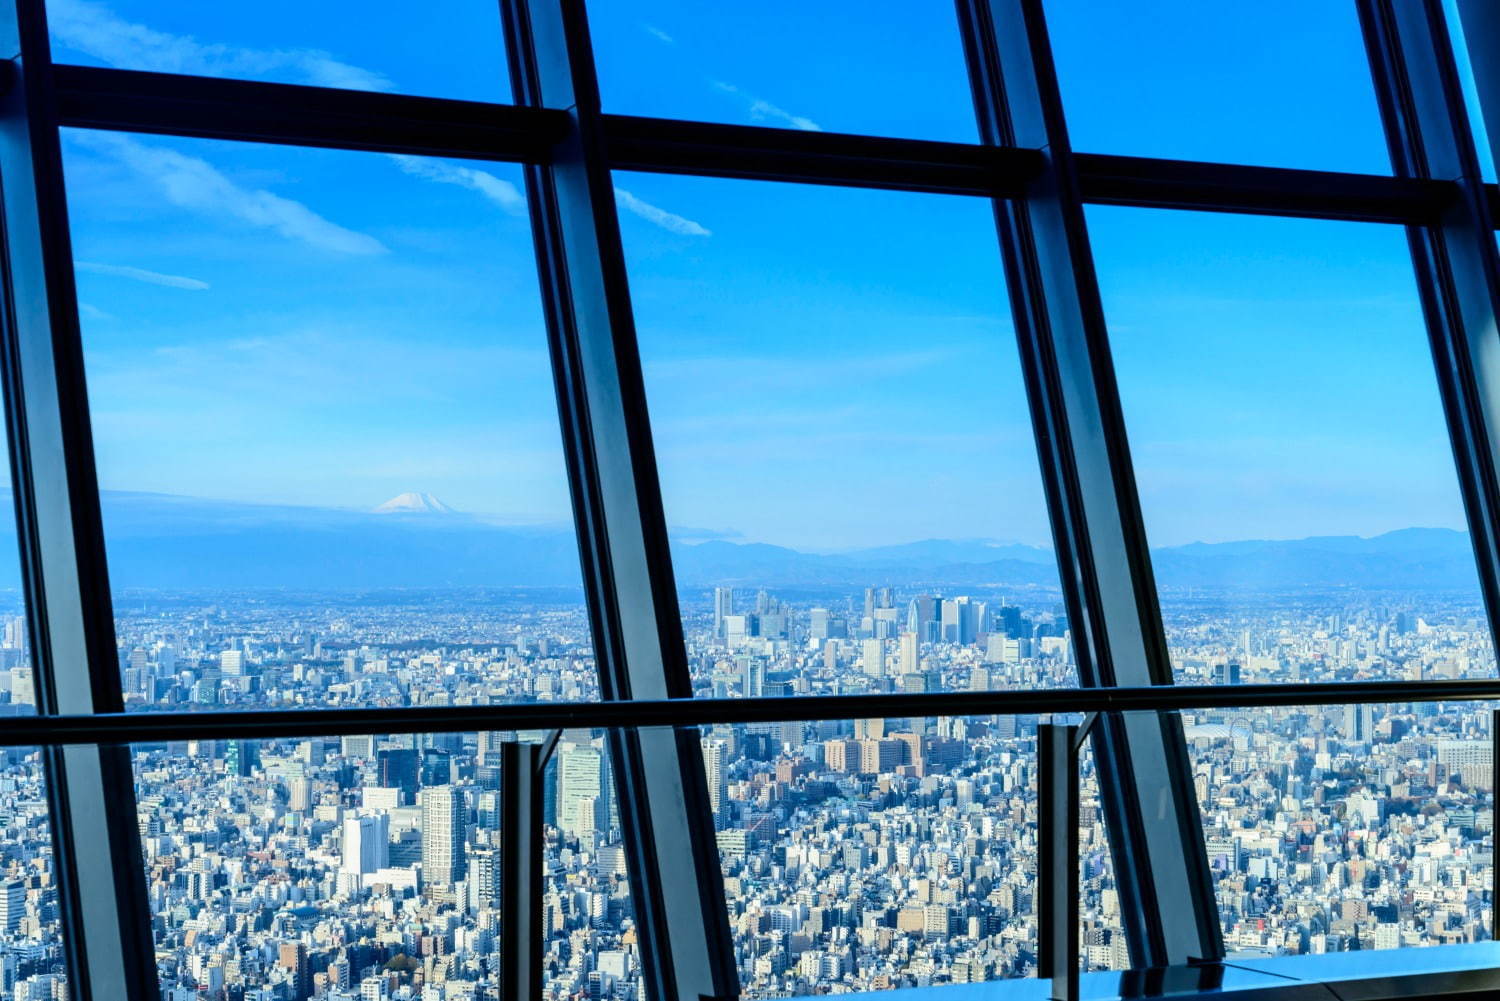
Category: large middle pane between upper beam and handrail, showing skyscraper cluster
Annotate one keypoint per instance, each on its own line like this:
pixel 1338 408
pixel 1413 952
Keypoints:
pixel 844 440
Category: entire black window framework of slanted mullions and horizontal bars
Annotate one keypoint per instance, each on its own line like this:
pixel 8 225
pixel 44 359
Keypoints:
pixel 569 148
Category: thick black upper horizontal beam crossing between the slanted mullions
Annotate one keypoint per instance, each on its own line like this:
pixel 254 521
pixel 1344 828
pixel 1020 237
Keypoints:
pixel 295 115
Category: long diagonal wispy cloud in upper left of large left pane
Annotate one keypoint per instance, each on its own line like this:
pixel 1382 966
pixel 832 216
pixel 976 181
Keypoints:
pixel 196 184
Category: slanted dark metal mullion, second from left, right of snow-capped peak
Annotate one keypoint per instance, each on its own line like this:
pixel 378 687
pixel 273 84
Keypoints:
pixel 670 837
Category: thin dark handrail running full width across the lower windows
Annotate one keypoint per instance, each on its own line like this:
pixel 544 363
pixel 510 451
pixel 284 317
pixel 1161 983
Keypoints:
pixel 155 727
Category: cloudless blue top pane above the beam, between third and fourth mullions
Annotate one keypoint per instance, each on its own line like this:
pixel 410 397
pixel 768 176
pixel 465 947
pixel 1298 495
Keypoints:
pixel 1280 83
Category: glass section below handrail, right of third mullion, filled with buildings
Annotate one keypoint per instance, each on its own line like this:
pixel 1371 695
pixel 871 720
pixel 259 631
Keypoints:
pixel 1348 828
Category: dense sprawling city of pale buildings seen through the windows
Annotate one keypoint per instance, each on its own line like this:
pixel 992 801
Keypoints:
pixel 857 856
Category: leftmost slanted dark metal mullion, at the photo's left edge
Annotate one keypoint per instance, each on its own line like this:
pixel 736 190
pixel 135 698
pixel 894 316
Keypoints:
pixel 92 796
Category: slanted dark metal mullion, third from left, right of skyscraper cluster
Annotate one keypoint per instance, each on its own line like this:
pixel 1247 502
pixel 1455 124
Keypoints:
pixel 1147 789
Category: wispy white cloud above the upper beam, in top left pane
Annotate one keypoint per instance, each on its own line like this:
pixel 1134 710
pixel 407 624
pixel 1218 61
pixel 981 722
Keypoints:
pixel 91 28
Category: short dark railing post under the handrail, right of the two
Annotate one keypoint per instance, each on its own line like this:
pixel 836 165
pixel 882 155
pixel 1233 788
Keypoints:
pixel 1058 858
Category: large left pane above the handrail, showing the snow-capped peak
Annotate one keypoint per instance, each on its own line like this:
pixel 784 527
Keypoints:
pixel 326 428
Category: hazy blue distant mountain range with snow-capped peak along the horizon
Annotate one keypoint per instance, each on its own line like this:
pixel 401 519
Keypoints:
pixel 416 541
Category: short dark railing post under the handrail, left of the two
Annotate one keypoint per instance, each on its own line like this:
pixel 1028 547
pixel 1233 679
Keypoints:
pixel 521 873
